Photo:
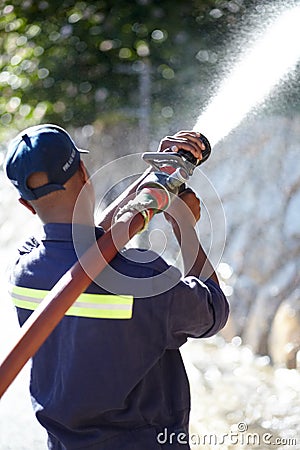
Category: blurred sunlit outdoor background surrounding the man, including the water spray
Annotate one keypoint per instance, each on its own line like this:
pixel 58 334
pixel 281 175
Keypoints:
pixel 121 75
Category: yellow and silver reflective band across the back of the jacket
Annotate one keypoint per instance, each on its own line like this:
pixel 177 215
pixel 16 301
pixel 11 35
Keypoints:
pixel 98 306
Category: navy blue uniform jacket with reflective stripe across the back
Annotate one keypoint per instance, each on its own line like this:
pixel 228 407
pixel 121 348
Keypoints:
pixel 110 376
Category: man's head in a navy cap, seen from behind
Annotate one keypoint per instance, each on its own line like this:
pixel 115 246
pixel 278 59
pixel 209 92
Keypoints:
pixel 44 164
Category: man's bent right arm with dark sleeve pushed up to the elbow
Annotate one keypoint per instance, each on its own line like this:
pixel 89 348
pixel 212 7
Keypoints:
pixel 199 308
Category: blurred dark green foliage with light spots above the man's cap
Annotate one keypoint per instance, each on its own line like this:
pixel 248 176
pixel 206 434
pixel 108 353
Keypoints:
pixel 76 62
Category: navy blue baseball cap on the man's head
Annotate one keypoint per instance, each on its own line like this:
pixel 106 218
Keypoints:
pixel 43 148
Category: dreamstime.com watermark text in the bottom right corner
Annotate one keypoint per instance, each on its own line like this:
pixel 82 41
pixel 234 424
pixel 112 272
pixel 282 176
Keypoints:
pixel 239 437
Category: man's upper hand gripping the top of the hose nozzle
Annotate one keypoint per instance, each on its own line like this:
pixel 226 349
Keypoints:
pixel 185 140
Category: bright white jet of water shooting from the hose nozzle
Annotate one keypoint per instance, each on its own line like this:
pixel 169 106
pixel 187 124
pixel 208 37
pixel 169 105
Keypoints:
pixel 263 66
